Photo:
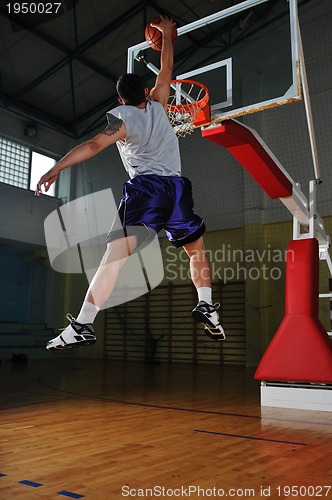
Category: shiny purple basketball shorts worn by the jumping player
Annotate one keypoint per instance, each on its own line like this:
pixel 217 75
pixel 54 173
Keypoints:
pixel 160 202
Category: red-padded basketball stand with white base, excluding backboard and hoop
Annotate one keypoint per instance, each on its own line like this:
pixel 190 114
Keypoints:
pixel 296 369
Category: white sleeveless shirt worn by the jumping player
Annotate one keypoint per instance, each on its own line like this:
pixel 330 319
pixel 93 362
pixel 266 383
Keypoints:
pixel 150 146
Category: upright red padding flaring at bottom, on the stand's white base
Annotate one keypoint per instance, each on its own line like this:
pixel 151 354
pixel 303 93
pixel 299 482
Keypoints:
pixel 301 350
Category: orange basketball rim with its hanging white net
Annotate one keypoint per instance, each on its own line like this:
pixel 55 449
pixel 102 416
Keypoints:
pixel 187 99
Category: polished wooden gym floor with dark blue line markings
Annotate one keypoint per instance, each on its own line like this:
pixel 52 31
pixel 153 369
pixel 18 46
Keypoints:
pixel 107 430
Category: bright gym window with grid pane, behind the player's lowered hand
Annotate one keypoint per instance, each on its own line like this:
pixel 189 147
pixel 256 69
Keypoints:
pixel 21 166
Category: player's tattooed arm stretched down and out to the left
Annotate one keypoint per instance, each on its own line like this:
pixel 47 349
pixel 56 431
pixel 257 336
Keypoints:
pixel 114 131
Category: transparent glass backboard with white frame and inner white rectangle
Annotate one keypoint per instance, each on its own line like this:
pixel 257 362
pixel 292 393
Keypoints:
pixel 247 56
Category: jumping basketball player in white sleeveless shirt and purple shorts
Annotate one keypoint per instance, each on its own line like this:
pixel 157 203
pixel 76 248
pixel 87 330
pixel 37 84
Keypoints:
pixel 156 196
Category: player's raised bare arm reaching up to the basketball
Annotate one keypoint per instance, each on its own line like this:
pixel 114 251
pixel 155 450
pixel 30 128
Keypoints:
pixel 160 92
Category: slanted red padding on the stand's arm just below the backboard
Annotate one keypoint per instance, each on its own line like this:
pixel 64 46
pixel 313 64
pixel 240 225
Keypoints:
pixel 243 144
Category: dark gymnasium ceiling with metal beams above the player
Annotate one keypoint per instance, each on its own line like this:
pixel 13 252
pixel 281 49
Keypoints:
pixel 60 70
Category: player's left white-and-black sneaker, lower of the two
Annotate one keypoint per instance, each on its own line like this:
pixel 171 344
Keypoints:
pixel 76 334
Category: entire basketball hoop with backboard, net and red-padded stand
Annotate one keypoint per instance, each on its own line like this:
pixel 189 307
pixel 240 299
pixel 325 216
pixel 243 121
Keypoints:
pixel 296 369
